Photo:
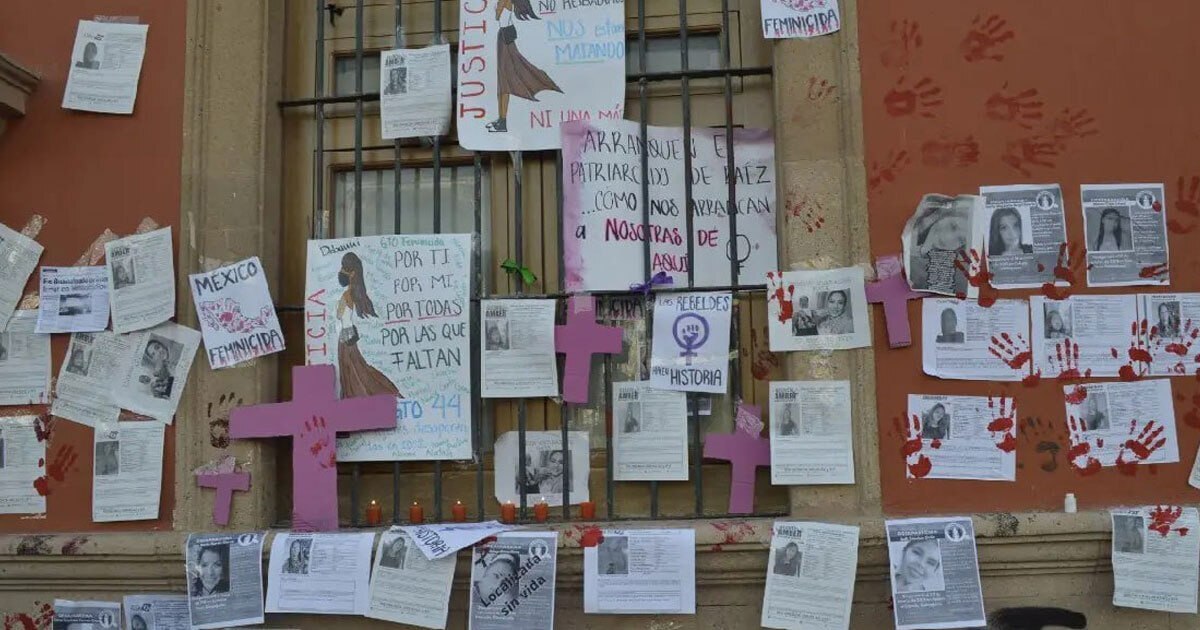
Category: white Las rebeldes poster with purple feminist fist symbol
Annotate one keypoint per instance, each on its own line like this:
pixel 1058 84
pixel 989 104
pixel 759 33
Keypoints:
pixel 692 343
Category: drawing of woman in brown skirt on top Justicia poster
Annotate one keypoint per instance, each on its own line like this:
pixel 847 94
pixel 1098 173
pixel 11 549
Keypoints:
pixel 515 75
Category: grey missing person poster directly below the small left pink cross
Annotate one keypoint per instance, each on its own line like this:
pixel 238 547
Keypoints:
pixel 225 579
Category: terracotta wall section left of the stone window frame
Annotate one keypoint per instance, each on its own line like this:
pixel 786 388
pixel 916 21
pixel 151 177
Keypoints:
pixel 85 173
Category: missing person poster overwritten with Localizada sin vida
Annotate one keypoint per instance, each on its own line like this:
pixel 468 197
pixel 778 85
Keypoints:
pixel 513 583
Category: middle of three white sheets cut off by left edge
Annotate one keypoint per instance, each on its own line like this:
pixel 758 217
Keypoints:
pixel 25 362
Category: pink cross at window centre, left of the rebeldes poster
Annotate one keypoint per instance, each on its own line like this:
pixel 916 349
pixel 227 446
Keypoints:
pixel 579 340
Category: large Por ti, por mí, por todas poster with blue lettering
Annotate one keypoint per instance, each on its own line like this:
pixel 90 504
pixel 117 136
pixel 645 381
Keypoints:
pixel 393 315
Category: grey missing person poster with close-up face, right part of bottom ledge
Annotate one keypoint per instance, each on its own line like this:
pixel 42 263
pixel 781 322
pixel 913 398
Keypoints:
pixel 935 573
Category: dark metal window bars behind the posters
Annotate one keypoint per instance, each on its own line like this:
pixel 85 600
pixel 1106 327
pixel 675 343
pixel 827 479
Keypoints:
pixel 482 411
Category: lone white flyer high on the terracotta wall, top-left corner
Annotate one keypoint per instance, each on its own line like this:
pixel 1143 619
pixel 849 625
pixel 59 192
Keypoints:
pixel 106 65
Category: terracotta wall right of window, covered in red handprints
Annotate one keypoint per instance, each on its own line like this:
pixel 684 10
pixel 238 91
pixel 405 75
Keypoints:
pixel 959 95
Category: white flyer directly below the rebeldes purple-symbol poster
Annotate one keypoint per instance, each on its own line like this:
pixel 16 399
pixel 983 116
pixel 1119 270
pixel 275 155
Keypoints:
pixel 650 437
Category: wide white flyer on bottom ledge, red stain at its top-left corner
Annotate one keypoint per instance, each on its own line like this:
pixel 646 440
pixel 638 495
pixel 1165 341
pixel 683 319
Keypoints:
pixel 641 572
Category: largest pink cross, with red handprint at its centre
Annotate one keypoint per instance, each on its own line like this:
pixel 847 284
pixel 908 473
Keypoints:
pixel 313 421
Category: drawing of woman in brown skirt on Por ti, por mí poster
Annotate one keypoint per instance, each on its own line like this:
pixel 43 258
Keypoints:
pixel 357 376
